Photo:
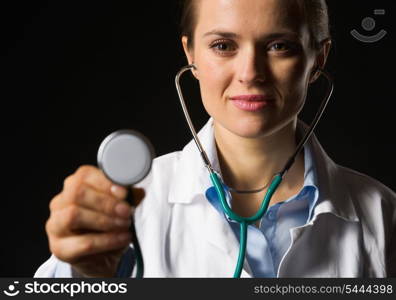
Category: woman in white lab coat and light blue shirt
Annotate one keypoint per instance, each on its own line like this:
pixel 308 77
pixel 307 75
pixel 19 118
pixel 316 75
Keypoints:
pixel 255 60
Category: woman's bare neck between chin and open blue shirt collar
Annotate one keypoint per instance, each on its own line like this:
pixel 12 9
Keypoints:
pixel 250 163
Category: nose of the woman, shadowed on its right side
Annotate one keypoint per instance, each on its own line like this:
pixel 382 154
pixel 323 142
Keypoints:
pixel 251 67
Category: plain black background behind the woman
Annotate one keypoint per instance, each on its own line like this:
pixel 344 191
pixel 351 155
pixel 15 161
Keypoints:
pixel 74 71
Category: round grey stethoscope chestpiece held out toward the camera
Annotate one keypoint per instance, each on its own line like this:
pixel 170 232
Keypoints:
pixel 125 157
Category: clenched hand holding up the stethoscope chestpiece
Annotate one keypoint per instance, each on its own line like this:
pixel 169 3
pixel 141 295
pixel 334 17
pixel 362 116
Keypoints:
pixel 90 221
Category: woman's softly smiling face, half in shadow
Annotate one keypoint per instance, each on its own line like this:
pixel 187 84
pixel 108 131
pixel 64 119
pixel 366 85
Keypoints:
pixel 251 47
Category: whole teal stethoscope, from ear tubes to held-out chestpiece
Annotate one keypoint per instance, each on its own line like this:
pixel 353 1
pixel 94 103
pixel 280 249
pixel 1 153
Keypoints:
pixel 125 157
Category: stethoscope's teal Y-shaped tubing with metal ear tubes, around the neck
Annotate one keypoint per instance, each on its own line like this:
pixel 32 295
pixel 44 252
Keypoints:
pixel 275 182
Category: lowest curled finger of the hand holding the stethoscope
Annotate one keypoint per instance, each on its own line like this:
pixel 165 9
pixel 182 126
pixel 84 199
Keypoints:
pixel 72 248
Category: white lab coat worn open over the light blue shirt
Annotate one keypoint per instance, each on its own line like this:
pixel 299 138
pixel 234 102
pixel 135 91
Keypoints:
pixel 352 232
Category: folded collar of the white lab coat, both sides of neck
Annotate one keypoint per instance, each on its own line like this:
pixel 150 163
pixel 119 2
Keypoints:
pixel 334 196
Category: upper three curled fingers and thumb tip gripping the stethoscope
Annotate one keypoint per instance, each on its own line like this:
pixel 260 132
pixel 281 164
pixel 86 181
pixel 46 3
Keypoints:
pixel 81 207
